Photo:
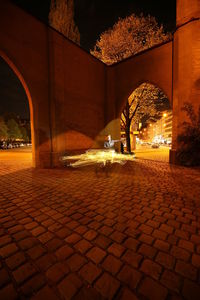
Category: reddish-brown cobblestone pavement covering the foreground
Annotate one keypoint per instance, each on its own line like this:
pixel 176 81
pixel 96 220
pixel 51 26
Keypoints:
pixel 133 233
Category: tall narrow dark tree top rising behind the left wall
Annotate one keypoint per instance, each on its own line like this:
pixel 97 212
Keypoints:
pixel 61 17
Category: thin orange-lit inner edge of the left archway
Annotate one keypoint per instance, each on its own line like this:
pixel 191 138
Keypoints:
pixel 26 89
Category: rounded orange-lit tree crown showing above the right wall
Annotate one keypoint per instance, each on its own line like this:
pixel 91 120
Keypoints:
pixel 129 36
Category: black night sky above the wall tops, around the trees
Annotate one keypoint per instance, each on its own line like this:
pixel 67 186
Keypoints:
pixel 95 16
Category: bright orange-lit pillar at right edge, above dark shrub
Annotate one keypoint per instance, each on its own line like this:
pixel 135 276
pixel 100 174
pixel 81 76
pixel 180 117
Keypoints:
pixel 186 64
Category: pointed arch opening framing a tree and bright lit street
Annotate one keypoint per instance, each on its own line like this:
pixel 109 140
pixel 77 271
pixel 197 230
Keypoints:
pixel 146 123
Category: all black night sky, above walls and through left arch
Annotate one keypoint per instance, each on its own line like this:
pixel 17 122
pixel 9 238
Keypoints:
pixel 92 17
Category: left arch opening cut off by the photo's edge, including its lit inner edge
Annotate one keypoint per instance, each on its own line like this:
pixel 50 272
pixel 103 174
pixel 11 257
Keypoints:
pixel 16 114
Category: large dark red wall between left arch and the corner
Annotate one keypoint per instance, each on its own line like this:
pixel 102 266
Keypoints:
pixel 66 84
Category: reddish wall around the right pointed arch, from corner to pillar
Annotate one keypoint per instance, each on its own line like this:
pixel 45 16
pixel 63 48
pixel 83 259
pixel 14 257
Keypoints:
pixel 153 66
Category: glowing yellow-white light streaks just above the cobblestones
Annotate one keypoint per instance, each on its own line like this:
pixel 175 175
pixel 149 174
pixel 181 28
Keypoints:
pixel 95 156
